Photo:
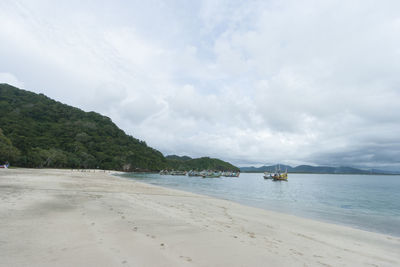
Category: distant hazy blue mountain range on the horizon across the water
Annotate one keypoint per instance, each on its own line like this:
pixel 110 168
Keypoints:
pixel 315 169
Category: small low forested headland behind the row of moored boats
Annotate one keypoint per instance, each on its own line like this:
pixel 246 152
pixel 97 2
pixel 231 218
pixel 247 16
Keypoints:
pixel 205 163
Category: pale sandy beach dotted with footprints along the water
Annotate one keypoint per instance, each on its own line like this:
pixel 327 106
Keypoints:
pixel 54 217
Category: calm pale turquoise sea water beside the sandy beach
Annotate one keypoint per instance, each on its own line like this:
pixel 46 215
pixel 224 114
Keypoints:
pixel 368 202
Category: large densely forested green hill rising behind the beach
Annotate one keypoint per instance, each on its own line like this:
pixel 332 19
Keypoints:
pixel 37 131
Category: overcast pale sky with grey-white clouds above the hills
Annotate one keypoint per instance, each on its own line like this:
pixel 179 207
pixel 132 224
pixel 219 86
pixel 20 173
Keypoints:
pixel 250 82
